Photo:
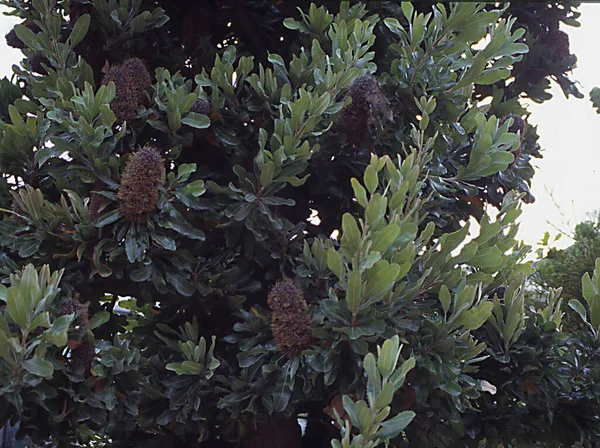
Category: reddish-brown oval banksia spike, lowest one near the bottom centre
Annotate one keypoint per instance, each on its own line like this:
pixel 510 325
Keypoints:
pixel 290 321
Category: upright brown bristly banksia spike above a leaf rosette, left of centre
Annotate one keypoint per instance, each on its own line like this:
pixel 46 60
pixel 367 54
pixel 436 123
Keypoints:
pixel 141 179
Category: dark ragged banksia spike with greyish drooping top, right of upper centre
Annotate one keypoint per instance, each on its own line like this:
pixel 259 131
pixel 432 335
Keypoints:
pixel 367 97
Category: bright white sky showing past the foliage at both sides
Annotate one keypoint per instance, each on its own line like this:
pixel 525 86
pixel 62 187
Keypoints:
pixel 566 183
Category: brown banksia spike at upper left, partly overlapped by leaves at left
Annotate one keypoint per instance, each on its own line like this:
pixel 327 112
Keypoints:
pixel 132 80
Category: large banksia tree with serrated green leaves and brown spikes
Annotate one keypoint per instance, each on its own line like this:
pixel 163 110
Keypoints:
pixel 228 229
